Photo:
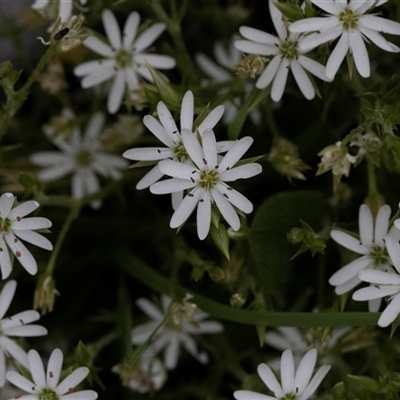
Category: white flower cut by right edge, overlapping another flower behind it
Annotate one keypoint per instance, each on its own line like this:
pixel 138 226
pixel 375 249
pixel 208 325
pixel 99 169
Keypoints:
pixel 383 284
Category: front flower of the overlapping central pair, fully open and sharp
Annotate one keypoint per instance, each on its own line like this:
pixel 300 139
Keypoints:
pixel 206 178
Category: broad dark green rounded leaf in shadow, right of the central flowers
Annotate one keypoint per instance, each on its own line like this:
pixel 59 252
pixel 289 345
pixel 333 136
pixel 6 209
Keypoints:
pixel 277 215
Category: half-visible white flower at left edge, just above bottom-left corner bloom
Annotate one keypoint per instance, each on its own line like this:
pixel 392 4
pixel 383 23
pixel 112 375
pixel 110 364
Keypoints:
pixel 18 326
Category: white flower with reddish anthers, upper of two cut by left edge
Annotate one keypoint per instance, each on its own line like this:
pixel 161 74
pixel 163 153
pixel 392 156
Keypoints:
pixel 13 227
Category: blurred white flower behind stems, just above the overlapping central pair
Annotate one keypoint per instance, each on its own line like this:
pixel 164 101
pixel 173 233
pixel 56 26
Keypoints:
pixel 227 59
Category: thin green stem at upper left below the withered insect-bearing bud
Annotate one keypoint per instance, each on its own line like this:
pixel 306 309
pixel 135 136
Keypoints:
pixel 15 102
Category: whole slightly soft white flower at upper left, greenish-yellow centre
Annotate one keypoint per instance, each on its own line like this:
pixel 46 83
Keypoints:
pixel 125 57
